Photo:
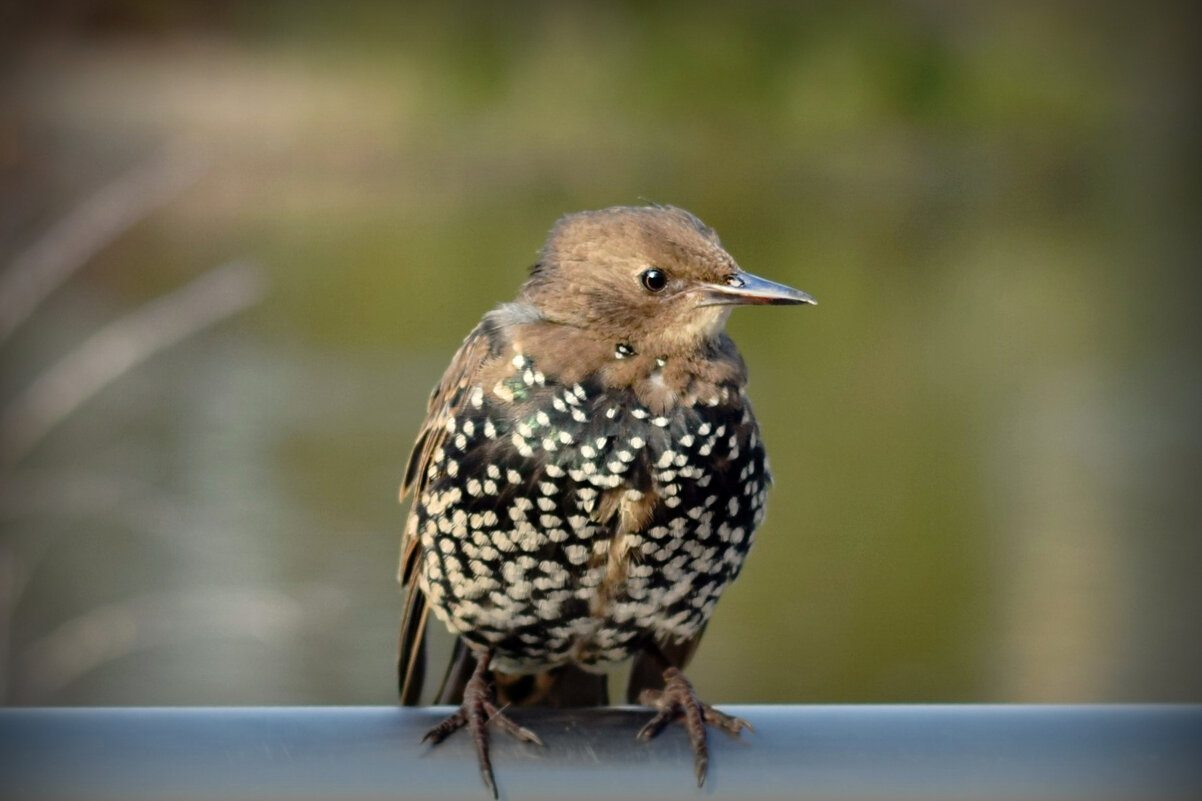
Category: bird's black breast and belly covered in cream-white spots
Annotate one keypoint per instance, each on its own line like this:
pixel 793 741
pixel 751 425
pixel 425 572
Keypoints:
pixel 567 524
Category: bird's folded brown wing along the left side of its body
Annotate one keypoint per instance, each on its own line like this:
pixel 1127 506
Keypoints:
pixel 445 402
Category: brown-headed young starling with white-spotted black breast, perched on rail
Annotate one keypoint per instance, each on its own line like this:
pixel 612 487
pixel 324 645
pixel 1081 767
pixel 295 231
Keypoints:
pixel 588 479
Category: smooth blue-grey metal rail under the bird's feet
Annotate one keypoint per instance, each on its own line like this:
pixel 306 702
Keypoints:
pixel 798 752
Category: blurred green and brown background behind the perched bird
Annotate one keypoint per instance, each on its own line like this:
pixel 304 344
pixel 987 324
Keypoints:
pixel 986 437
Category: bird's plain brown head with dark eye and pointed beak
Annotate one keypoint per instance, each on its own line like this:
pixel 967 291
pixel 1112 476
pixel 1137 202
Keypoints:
pixel 653 278
